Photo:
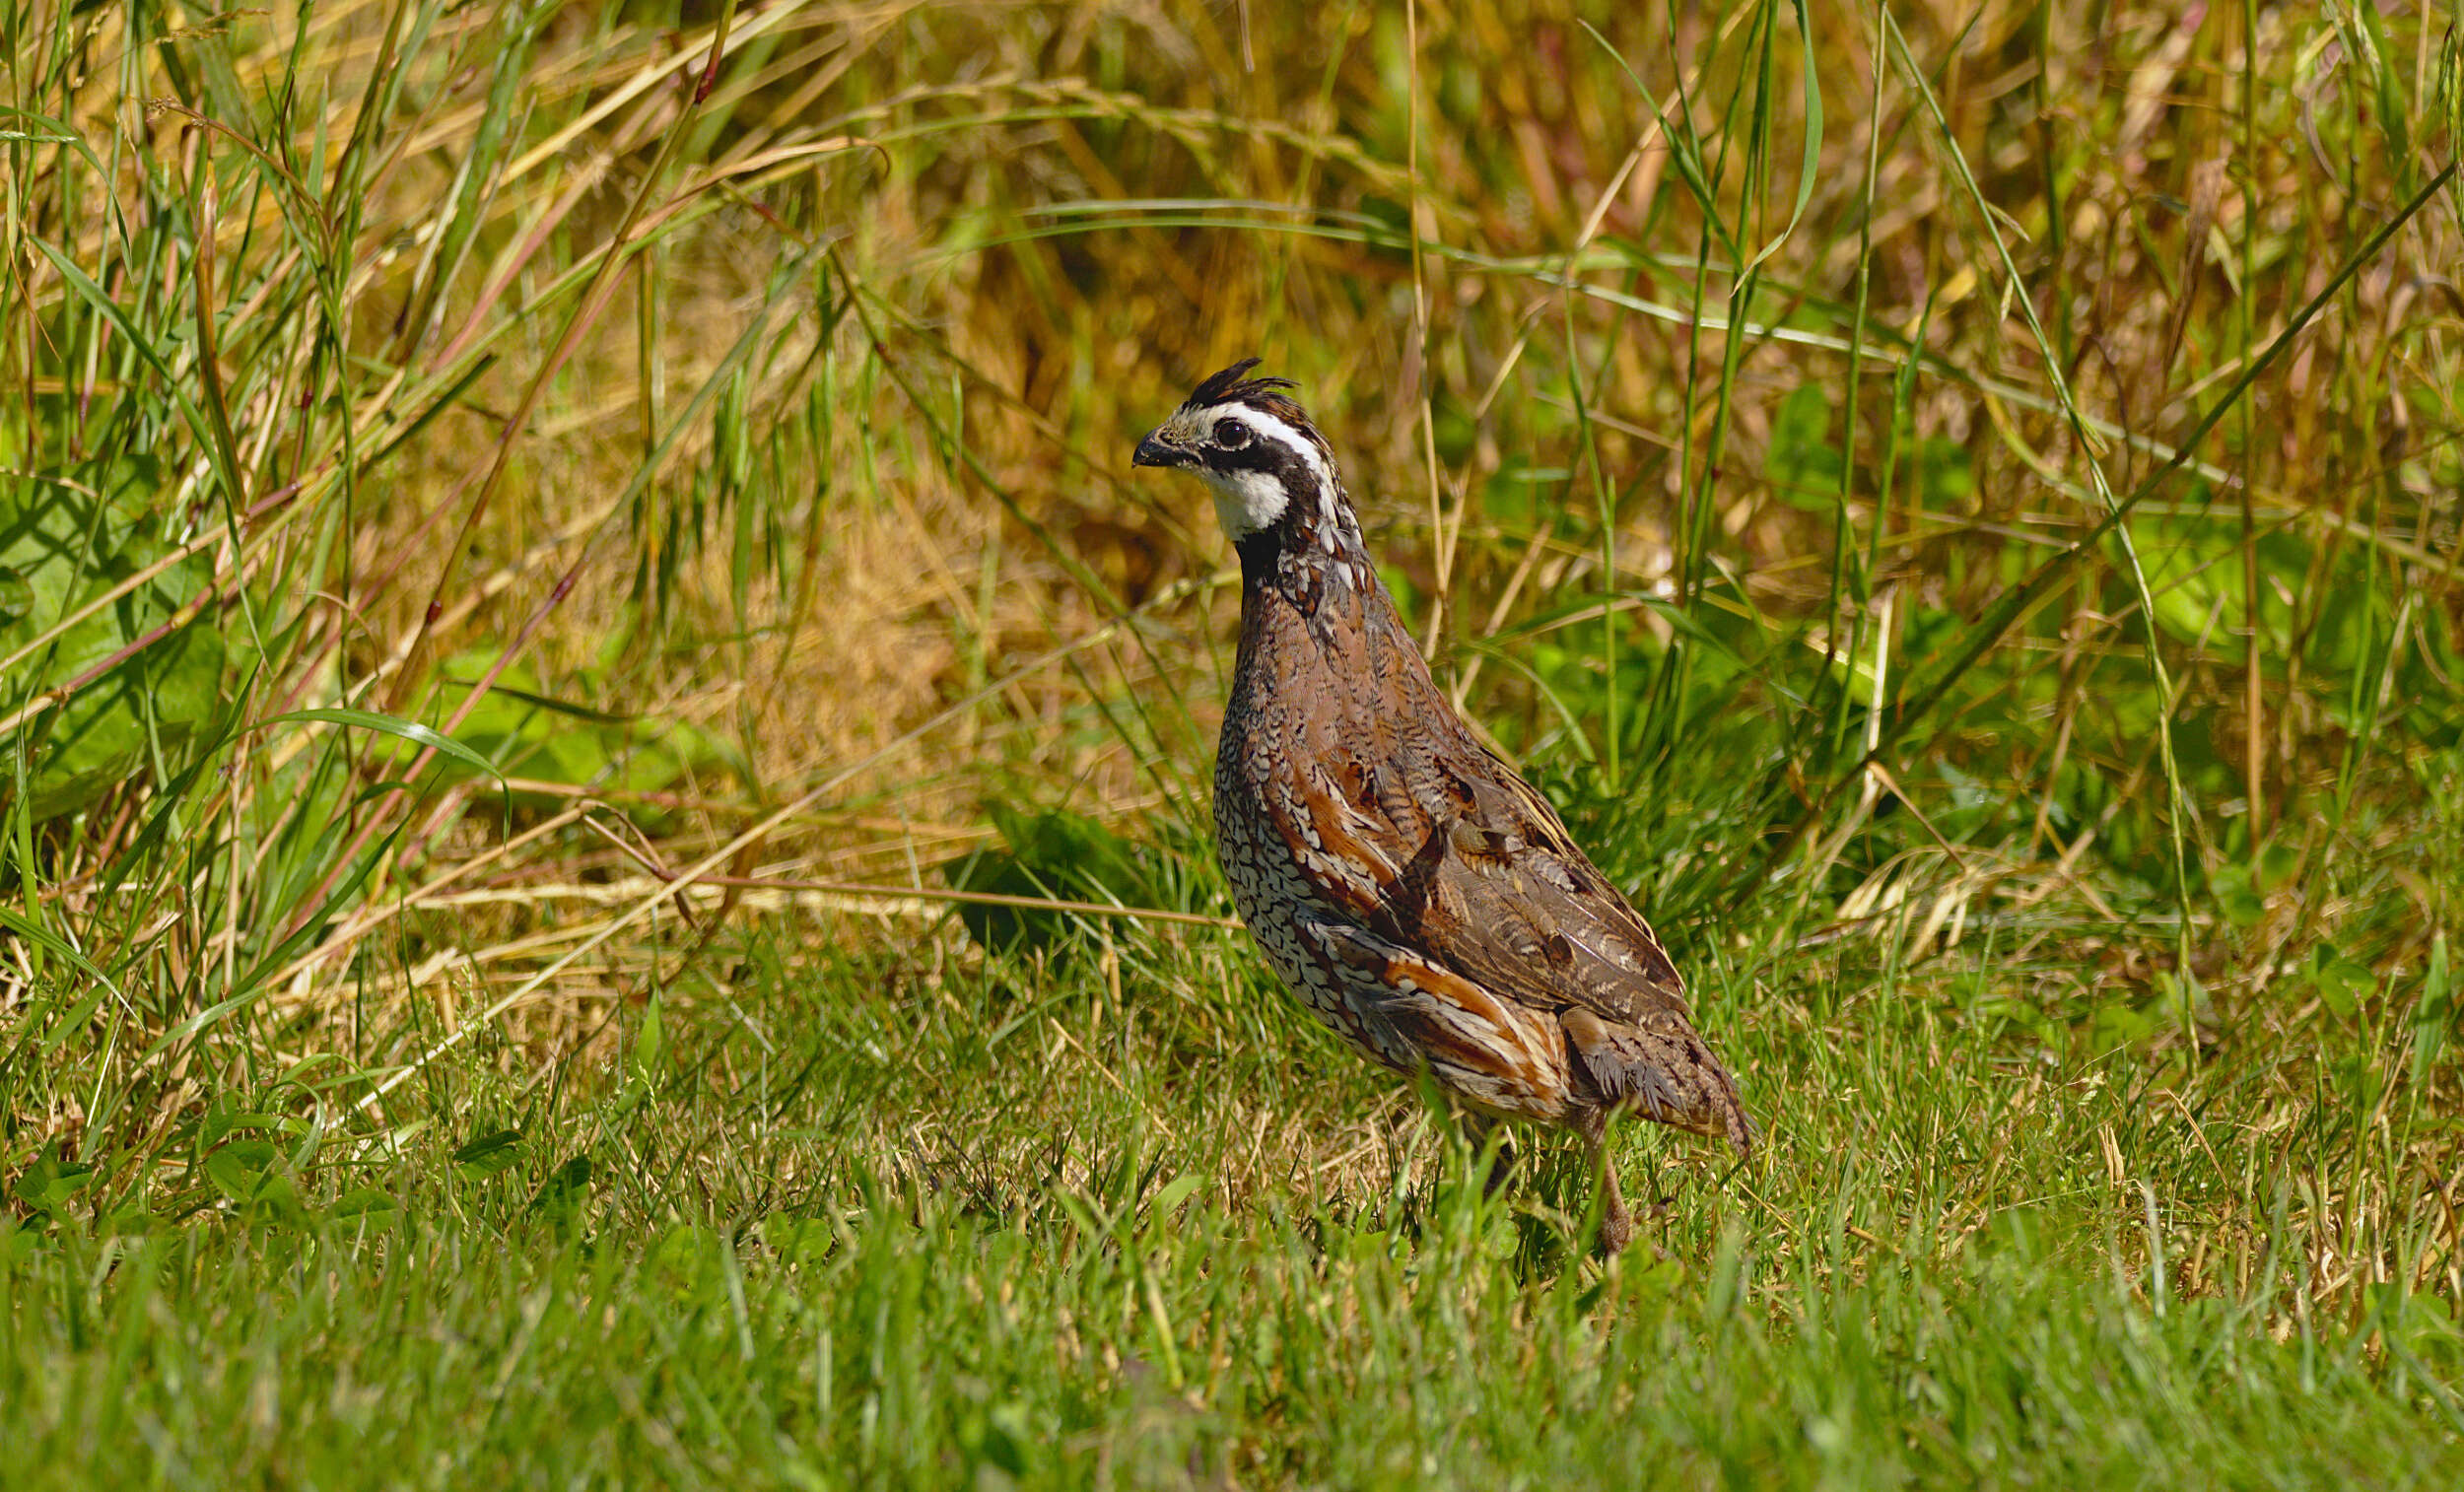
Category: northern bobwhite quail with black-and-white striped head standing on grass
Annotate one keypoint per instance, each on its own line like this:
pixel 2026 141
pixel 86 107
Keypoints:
pixel 1406 883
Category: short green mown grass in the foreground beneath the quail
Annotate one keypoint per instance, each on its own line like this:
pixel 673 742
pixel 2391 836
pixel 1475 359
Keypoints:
pixel 883 1235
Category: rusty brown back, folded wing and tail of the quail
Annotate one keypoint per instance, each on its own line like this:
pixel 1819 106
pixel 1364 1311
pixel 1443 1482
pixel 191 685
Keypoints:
pixel 1403 824
